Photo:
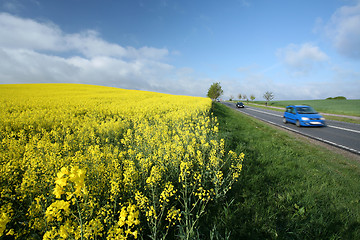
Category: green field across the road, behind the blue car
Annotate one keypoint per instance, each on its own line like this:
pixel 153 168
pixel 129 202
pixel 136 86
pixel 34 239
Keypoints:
pixel 346 107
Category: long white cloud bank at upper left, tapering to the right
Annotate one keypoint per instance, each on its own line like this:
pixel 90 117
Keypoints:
pixel 18 32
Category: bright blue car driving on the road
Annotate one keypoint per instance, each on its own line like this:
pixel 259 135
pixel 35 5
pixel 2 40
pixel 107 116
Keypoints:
pixel 303 116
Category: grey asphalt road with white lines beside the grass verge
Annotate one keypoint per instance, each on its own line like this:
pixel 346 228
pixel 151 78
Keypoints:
pixel 340 134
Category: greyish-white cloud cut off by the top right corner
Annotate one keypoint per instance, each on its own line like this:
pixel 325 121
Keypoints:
pixel 343 30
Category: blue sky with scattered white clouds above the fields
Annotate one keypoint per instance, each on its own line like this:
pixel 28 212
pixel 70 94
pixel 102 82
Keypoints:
pixel 298 49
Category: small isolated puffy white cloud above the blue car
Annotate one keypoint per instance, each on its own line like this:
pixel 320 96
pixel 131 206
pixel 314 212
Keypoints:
pixel 301 59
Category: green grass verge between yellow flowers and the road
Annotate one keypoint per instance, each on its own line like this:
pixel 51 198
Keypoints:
pixel 289 189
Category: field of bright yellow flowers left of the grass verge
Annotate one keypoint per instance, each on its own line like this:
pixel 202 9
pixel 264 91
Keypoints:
pixel 91 162
